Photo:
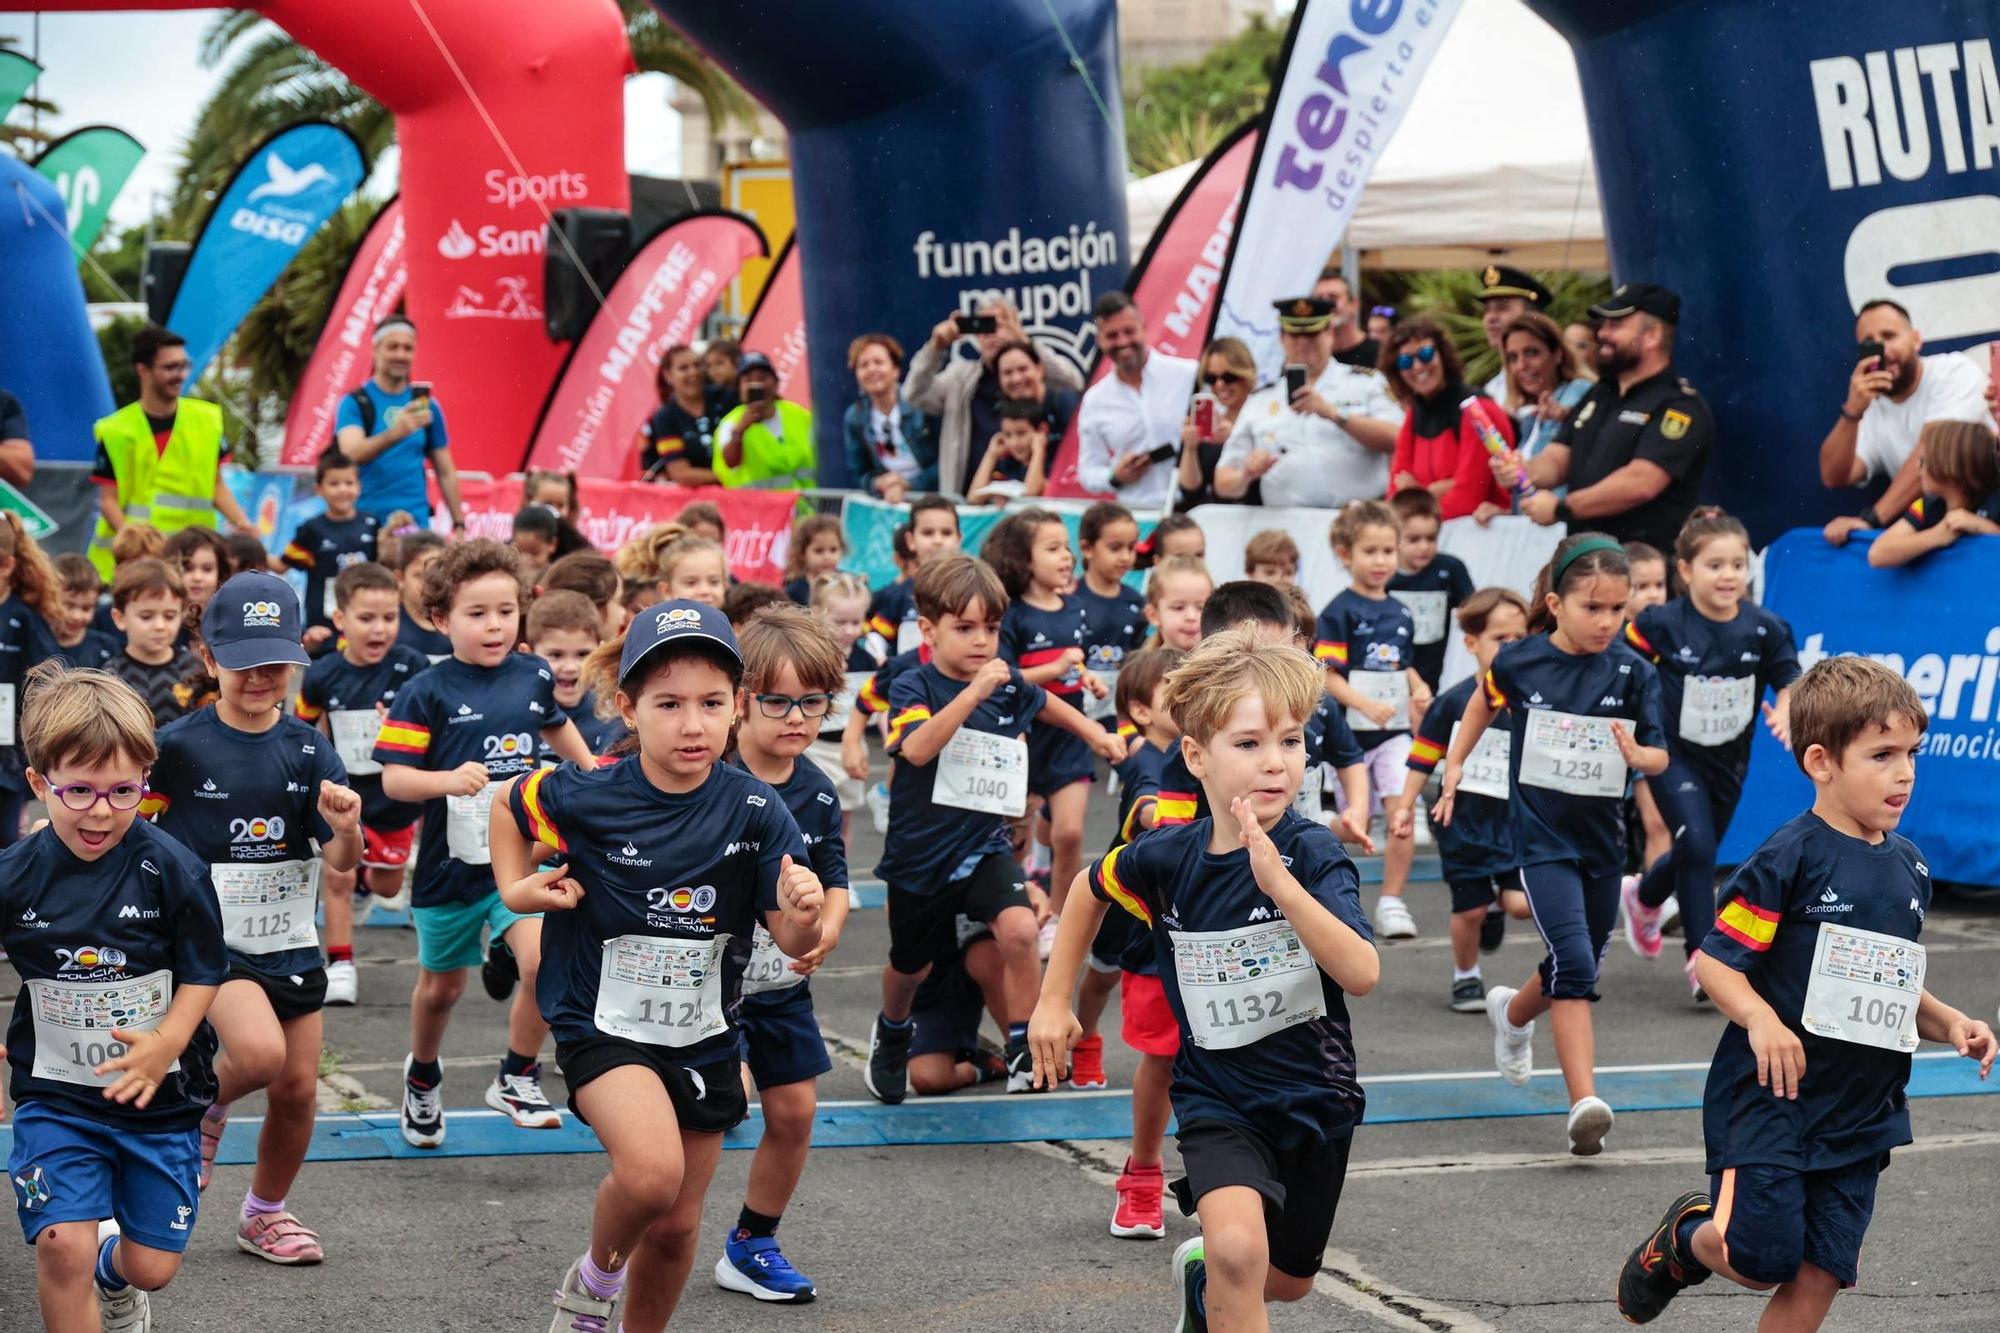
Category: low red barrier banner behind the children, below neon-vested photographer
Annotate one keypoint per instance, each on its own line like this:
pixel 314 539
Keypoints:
pixel 611 511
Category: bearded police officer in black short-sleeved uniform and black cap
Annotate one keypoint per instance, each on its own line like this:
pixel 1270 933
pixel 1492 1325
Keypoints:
pixel 1637 447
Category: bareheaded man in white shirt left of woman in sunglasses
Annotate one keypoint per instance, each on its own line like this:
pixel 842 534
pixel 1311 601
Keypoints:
pixel 1129 427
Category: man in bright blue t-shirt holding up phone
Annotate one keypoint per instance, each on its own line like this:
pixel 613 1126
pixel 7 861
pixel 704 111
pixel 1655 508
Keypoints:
pixel 391 427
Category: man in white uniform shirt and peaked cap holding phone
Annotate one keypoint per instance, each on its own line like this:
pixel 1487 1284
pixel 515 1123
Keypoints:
pixel 1325 445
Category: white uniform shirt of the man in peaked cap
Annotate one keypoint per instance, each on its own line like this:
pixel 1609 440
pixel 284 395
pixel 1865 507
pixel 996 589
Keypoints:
pixel 1319 463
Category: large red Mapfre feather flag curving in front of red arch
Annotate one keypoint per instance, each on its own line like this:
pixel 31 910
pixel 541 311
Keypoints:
pixel 609 387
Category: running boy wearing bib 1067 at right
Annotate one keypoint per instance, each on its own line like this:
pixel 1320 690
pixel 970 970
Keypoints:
pixel 1807 1088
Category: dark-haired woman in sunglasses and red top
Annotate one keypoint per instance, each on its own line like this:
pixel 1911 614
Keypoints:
pixel 1439 445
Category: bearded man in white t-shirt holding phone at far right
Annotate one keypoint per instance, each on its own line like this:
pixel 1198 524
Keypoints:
pixel 1891 397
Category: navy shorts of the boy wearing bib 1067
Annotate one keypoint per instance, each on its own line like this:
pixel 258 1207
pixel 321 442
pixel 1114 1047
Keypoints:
pixel 1777 1218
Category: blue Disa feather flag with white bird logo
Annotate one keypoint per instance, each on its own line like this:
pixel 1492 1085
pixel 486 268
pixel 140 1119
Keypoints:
pixel 283 193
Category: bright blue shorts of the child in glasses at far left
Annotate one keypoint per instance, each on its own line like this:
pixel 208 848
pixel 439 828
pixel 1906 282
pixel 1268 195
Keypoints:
pixel 69 1170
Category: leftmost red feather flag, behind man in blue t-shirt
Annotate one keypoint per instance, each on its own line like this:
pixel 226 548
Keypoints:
pixel 343 357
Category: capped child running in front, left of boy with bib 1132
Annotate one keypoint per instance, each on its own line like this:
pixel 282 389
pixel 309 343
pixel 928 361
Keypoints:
pixel 663 862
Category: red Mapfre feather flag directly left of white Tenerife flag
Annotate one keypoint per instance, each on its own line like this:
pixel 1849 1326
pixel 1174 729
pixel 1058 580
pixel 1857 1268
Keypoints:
pixel 1177 279
